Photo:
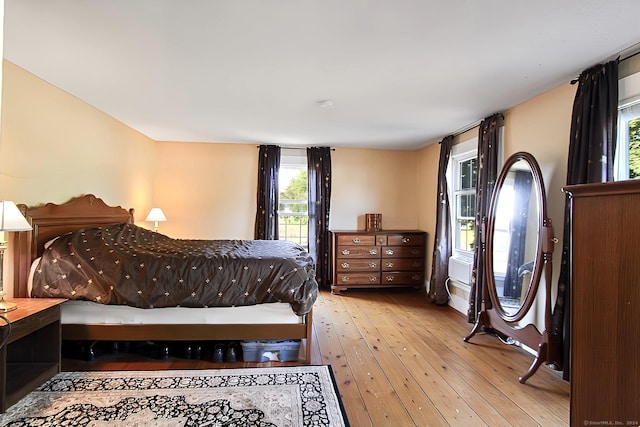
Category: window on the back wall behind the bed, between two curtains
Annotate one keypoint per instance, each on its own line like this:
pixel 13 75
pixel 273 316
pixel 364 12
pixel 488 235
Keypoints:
pixel 293 212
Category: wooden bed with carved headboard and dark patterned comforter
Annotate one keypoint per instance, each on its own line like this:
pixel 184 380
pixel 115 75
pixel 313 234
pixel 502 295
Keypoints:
pixel 153 318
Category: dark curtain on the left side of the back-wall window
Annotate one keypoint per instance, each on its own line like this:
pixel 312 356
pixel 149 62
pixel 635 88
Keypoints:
pixel 266 227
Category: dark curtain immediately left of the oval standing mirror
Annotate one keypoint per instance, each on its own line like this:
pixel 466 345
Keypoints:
pixel 488 140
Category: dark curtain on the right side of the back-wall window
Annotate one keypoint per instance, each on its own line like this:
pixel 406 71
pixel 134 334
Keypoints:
pixel 319 177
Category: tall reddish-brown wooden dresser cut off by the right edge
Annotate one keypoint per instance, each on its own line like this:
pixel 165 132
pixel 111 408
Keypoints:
pixel 605 304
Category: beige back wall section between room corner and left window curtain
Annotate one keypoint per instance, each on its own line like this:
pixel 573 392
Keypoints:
pixel 207 191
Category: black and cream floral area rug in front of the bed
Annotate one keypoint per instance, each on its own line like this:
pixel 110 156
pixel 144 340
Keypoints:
pixel 282 396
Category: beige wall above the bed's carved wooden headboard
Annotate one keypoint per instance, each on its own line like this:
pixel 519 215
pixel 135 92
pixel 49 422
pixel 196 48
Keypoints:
pixel 53 146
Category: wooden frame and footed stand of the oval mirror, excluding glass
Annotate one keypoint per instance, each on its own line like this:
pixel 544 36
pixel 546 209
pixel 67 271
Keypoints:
pixel 491 316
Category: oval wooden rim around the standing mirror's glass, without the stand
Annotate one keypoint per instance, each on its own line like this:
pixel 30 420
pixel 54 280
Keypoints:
pixel 536 274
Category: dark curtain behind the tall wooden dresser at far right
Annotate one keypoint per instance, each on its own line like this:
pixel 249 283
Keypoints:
pixel 591 152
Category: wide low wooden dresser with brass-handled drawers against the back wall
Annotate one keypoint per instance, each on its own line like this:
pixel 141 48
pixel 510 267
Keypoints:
pixel 378 259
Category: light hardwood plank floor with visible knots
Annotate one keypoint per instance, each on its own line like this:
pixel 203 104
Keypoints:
pixel 401 361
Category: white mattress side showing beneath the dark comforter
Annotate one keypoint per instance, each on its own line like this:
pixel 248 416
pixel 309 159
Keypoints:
pixel 90 313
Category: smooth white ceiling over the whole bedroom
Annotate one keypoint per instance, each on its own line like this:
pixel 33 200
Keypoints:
pixel 395 74
